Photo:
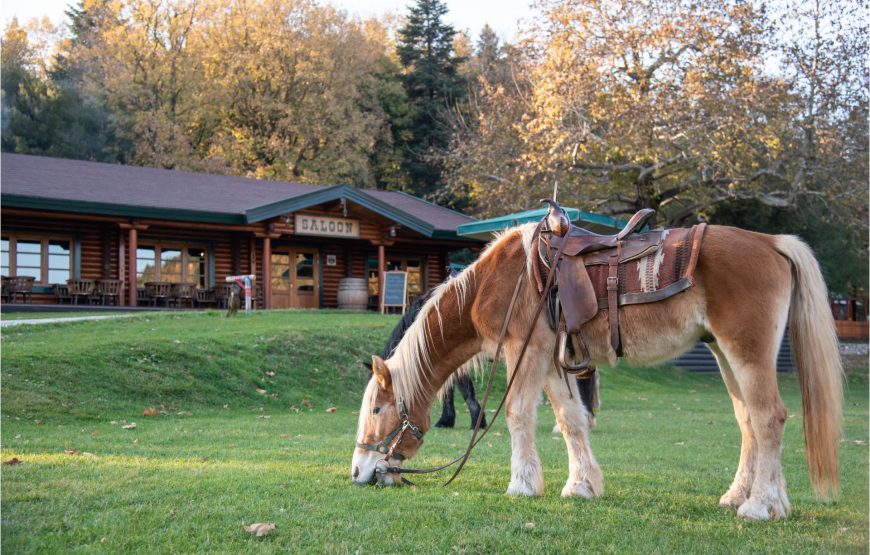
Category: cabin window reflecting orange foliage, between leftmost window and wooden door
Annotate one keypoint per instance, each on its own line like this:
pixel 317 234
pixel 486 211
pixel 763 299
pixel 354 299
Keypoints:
pixel 172 263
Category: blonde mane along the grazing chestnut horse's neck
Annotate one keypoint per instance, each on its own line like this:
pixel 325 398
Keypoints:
pixel 410 364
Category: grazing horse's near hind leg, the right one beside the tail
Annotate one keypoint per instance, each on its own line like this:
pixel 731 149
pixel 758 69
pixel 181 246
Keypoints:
pixel 755 377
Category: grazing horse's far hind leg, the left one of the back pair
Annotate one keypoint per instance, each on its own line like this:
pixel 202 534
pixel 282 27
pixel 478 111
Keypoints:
pixel 742 484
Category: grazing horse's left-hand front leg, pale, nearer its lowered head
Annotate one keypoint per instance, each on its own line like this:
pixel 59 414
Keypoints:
pixel 521 413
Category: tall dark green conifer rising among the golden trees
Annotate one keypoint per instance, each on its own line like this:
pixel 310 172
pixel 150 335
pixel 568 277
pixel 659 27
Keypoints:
pixel 433 85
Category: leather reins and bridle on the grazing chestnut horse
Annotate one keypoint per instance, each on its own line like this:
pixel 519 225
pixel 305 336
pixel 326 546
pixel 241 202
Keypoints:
pixel 388 446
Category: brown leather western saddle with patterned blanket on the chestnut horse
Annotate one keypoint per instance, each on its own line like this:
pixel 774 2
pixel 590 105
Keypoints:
pixel 625 268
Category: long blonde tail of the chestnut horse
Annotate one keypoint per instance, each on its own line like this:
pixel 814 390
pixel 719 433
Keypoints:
pixel 820 371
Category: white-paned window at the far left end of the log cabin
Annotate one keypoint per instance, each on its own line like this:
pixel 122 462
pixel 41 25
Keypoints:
pixel 47 260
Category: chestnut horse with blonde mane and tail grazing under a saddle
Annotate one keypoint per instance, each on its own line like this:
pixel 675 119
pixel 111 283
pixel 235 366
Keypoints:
pixel 747 287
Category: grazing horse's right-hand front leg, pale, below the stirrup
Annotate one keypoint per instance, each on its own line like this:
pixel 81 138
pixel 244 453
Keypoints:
pixel 584 474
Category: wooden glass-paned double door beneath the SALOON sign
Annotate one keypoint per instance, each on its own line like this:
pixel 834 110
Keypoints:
pixel 295 282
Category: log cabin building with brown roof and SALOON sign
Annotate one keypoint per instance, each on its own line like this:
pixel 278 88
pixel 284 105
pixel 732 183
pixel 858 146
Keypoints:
pixel 70 219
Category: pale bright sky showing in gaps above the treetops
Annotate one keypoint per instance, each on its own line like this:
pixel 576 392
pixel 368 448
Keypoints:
pixel 463 15
